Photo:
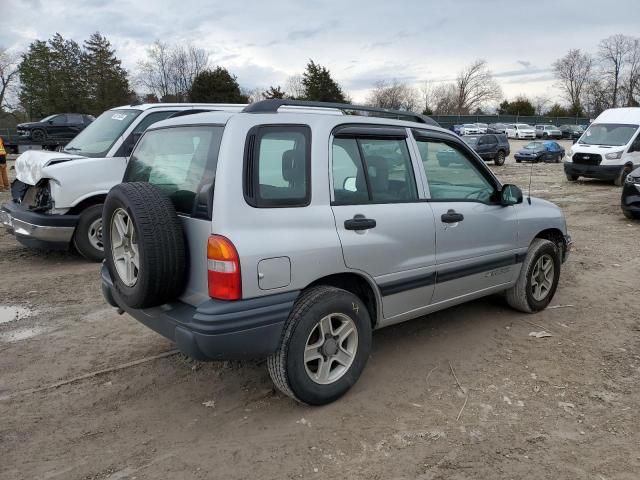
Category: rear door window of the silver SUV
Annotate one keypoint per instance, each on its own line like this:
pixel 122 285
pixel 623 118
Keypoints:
pixel 372 171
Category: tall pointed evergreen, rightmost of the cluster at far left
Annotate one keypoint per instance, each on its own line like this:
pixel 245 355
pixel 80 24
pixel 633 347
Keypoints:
pixel 107 82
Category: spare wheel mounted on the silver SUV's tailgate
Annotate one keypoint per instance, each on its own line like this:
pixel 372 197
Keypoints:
pixel 143 244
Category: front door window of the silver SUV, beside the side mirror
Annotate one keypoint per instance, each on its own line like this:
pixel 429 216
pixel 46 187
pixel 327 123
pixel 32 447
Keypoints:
pixel 452 175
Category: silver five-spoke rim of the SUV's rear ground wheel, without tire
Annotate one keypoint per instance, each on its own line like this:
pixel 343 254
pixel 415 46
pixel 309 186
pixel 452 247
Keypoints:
pixel 331 348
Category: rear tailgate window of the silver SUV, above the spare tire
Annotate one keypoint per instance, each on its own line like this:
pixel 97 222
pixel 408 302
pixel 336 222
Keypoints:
pixel 181 161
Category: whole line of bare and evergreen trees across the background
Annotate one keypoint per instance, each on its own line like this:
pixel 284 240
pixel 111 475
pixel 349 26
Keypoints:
pixel 60 75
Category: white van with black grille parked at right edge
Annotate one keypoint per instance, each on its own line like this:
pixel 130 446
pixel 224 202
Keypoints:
pixel 609 149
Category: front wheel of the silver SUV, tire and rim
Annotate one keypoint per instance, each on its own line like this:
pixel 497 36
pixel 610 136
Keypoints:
pixel 538 279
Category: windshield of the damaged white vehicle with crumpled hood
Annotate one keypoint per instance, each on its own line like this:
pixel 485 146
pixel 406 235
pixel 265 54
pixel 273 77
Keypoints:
pixel 97 139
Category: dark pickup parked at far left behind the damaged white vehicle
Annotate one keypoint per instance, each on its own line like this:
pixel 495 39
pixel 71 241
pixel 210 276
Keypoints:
pixel 61 126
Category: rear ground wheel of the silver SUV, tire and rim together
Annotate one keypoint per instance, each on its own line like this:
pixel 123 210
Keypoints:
pixel 324 348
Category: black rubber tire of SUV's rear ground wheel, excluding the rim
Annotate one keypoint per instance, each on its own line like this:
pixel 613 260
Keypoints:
pixel 287 367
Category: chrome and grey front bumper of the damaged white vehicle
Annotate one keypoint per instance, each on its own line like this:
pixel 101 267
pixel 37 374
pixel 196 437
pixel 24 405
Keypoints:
pixel 38 230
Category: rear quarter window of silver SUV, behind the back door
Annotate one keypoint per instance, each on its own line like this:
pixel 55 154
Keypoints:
pixel 277 166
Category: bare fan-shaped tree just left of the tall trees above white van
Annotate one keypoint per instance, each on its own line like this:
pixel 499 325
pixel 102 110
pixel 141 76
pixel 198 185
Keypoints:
pixel 572 72
